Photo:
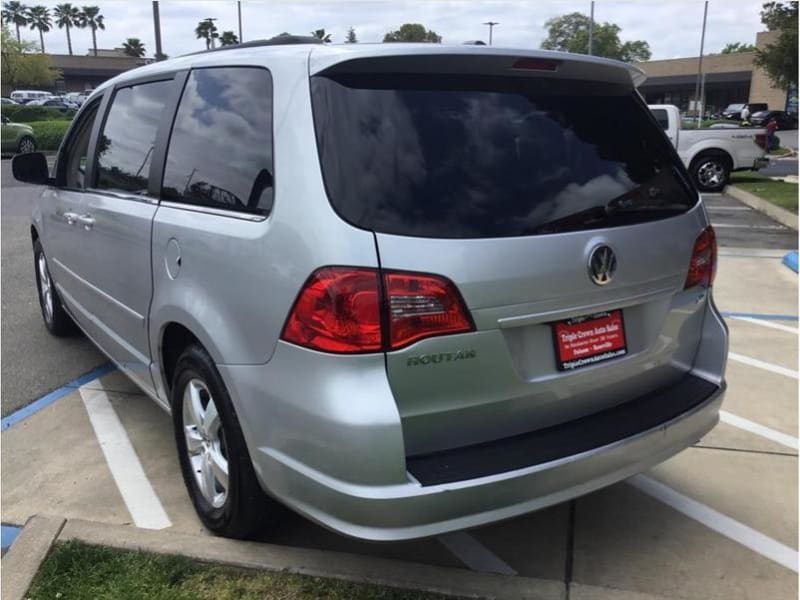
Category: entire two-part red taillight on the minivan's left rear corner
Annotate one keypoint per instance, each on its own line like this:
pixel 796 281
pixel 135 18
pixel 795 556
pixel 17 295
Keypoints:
pixel 345 310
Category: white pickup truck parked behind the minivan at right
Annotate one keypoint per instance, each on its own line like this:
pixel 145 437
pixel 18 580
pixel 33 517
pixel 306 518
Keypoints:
pixel 710 154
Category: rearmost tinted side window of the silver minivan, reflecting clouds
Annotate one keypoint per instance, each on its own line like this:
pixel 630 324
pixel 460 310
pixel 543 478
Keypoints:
pixel 220 152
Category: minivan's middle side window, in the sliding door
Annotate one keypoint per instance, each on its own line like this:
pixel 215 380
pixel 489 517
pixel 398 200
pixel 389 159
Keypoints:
pixel 126 143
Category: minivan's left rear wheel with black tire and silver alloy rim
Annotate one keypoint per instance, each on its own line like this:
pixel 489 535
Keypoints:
pixel 214 459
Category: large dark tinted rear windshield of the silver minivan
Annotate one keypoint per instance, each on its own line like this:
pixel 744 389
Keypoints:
pixel 477 157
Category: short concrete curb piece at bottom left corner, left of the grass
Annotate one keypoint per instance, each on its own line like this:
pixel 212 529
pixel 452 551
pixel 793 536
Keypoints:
pixel 23 559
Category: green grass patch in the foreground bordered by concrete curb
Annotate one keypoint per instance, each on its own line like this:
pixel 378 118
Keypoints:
pixel 75 570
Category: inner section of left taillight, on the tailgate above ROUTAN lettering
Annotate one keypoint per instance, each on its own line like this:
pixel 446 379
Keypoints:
pixel 422 306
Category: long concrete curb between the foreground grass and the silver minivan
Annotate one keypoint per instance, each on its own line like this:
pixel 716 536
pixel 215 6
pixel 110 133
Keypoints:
pixel 317 563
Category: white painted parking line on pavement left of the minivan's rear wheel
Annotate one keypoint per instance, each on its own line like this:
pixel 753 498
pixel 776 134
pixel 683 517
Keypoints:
pixel 134 487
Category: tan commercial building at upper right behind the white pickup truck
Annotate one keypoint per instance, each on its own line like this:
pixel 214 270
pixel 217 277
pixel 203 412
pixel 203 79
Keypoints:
pixel 729 79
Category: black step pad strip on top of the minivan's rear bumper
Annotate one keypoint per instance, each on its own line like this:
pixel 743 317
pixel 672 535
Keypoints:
pixel 563 440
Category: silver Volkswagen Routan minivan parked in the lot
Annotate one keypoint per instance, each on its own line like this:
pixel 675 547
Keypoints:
pixel 401 289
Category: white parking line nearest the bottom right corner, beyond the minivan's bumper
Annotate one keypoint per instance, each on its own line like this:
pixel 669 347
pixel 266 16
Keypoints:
pixel 723 524
